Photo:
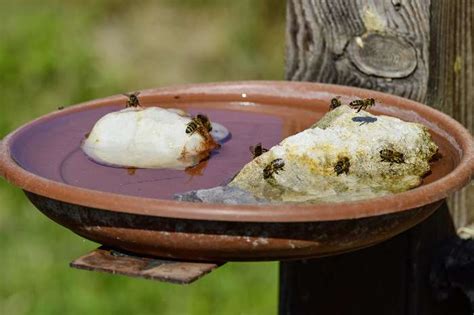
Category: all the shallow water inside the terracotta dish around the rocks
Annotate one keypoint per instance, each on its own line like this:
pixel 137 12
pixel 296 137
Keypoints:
pixel 50 148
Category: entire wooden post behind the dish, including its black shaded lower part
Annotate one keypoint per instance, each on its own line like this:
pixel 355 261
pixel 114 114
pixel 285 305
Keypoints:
pixel 418 49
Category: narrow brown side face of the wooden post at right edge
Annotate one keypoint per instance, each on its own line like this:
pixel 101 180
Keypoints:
pixel 451 80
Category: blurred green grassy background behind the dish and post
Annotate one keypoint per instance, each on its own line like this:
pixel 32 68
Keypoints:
pixel 58 53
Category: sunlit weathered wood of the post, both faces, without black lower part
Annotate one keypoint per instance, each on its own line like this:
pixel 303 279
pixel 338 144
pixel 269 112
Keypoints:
pixel 385 45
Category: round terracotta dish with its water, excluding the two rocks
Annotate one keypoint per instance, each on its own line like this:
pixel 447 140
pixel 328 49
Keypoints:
pixel 133 210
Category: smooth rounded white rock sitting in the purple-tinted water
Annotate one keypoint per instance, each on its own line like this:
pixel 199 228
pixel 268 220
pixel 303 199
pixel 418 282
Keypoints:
pixel 150 137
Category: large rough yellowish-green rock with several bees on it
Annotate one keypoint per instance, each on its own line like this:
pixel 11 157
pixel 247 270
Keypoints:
pixel 344 156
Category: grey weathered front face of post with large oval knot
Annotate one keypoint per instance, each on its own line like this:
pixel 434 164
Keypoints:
pixel 336 42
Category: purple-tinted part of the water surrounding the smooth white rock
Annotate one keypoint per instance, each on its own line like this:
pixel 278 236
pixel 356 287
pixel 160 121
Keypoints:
pixel 51 149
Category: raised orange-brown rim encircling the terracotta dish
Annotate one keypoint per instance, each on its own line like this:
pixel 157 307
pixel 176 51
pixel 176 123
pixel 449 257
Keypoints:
pixel 278 92
